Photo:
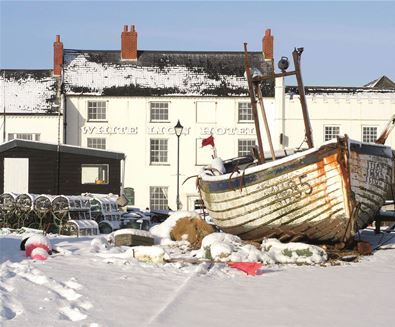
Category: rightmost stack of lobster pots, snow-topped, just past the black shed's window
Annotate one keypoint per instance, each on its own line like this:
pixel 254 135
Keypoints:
pixel 104 209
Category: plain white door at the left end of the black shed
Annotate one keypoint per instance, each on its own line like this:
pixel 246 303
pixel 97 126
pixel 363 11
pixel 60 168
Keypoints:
pixel 16 175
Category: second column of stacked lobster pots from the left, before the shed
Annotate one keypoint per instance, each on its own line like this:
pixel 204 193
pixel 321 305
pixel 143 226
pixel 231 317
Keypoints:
pixel 24 211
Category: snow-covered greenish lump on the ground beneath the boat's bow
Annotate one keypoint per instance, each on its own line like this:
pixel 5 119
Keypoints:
pixel 299 253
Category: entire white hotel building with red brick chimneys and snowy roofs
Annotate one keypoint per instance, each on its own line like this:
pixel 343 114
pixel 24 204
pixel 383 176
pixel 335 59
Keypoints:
pixel 130 100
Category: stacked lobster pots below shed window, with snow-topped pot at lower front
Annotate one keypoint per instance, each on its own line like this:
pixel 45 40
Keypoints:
pixel 74 214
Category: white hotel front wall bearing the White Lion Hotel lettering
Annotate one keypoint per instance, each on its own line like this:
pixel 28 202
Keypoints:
pixel 133 114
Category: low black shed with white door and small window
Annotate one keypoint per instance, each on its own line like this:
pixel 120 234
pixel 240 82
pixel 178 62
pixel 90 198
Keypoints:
pixel 44 168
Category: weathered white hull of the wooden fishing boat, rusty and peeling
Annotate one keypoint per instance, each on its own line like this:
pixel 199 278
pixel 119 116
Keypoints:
pixel 319 195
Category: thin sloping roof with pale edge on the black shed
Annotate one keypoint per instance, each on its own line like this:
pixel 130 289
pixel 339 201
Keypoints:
pixel 16 143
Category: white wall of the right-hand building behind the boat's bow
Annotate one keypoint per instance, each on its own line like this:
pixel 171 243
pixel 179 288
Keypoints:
pixel 350 112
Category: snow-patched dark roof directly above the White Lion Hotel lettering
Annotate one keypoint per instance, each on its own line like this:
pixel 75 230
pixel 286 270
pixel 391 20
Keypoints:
pixel 156 73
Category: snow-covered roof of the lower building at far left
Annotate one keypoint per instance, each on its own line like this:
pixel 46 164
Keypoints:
pixel 28 92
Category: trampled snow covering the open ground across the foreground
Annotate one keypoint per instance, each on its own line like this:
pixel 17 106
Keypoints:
pixel 89 282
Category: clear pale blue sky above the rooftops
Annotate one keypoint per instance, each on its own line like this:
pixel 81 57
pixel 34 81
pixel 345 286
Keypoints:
pixel 346 43
